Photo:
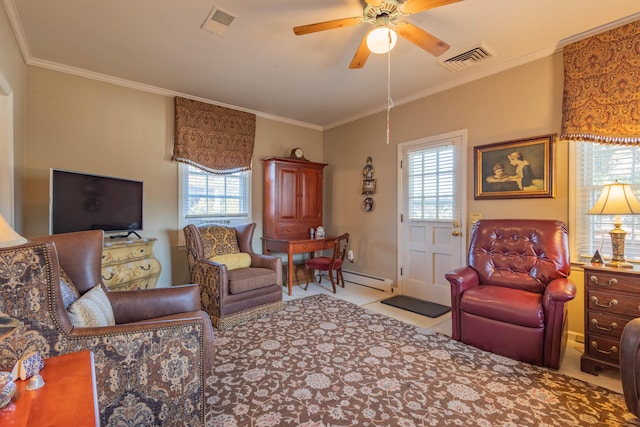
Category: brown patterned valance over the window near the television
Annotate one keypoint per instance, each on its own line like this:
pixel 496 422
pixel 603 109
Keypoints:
pixel 212 138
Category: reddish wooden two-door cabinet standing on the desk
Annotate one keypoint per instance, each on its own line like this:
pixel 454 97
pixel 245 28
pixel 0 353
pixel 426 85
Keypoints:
pixel 292 197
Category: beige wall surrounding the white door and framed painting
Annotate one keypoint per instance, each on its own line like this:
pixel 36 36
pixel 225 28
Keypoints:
pixel 519 103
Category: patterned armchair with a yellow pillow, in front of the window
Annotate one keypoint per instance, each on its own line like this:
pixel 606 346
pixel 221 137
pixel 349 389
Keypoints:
pixel 236 284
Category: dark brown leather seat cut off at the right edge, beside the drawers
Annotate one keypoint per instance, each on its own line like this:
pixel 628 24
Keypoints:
pixel 630 366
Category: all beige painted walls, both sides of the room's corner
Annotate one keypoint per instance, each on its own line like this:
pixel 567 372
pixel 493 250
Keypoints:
pixel 80 124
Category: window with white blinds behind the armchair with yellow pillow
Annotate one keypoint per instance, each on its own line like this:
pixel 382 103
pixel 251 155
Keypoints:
pixel 208 197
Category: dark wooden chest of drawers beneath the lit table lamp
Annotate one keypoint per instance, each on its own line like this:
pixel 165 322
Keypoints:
pixel 612 299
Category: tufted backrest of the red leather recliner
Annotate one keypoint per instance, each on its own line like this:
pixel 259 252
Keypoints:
pixel 519 254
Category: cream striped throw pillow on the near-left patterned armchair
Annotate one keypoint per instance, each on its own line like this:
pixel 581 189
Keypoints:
pixel 92 309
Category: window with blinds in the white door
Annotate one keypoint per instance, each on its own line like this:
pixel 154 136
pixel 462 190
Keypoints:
pixel 430 184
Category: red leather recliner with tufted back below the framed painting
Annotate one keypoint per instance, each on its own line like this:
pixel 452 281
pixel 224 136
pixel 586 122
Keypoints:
pixel 511 297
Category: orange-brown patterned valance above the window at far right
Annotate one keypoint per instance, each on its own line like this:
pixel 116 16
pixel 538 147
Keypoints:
pixel 602 87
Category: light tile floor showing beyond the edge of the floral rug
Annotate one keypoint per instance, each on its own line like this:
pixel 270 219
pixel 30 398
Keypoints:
pixel 370 298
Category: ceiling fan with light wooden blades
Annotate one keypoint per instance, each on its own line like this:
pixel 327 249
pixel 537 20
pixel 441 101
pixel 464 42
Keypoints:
pixel 385 14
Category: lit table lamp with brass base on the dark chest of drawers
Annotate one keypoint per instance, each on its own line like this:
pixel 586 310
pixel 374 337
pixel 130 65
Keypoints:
pixel 616 199
